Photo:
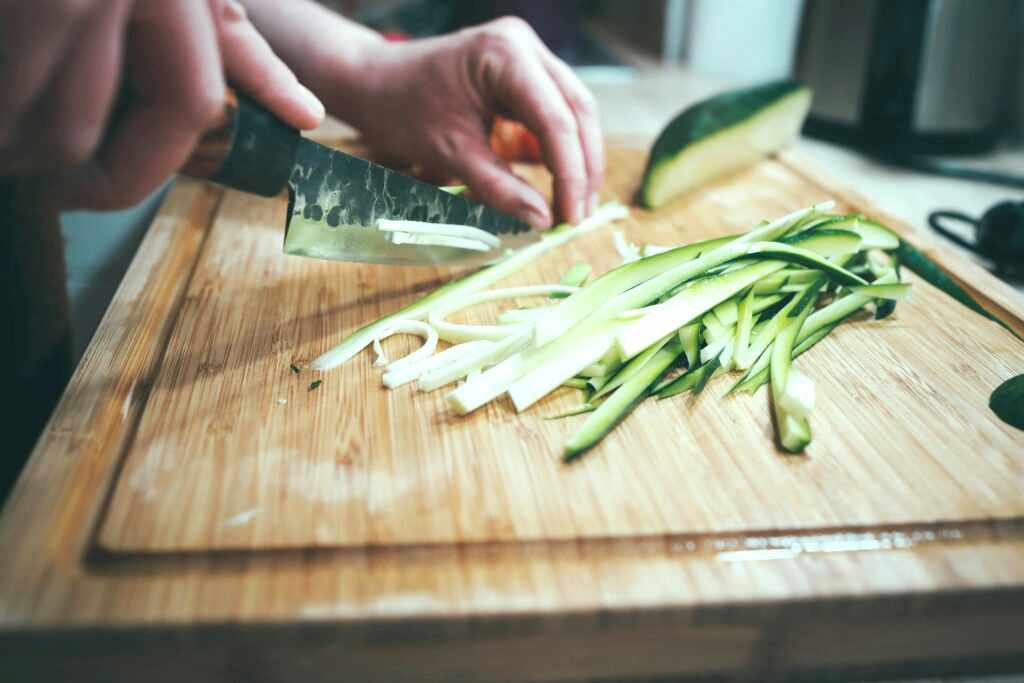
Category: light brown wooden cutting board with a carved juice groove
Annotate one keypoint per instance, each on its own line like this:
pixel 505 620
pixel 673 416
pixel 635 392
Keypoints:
pixel 173 417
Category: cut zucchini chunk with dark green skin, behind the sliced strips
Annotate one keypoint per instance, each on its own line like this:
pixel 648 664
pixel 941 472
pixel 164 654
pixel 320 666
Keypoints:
pixel 720 136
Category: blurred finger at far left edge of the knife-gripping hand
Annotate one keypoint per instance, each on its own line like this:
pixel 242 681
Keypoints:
pixel 31 51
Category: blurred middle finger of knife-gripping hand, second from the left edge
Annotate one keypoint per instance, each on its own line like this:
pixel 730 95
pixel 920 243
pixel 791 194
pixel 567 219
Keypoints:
pixel 68 122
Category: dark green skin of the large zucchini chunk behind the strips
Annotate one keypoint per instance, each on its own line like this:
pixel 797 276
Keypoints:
pixel 709 118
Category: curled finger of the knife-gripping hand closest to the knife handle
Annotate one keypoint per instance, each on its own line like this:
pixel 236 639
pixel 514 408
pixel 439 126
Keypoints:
pixel 175 71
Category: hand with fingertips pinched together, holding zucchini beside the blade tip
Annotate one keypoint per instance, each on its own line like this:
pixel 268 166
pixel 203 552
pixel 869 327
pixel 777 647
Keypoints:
pixel 432 103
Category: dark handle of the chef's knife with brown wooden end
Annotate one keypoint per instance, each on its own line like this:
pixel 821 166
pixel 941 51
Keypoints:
pixel 247 149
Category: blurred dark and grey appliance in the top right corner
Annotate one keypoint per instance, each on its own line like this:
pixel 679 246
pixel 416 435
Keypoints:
pixel 910 77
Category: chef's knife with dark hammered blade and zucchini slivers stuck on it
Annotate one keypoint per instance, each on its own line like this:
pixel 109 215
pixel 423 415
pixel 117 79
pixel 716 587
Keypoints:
pixel 335 199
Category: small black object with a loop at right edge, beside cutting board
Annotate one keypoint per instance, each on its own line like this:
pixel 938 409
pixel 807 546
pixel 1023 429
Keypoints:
pixel 999 235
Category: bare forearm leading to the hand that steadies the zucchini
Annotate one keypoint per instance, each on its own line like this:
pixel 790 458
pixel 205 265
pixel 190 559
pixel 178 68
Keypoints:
pixel 330 55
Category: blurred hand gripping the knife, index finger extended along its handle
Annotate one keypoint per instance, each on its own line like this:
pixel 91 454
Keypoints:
pixel 67 65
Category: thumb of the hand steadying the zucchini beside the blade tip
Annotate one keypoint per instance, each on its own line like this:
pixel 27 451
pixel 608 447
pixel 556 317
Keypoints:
pixel 494 184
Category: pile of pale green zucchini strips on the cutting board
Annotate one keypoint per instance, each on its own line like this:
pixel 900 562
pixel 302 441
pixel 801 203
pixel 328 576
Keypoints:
pixel 664 323
